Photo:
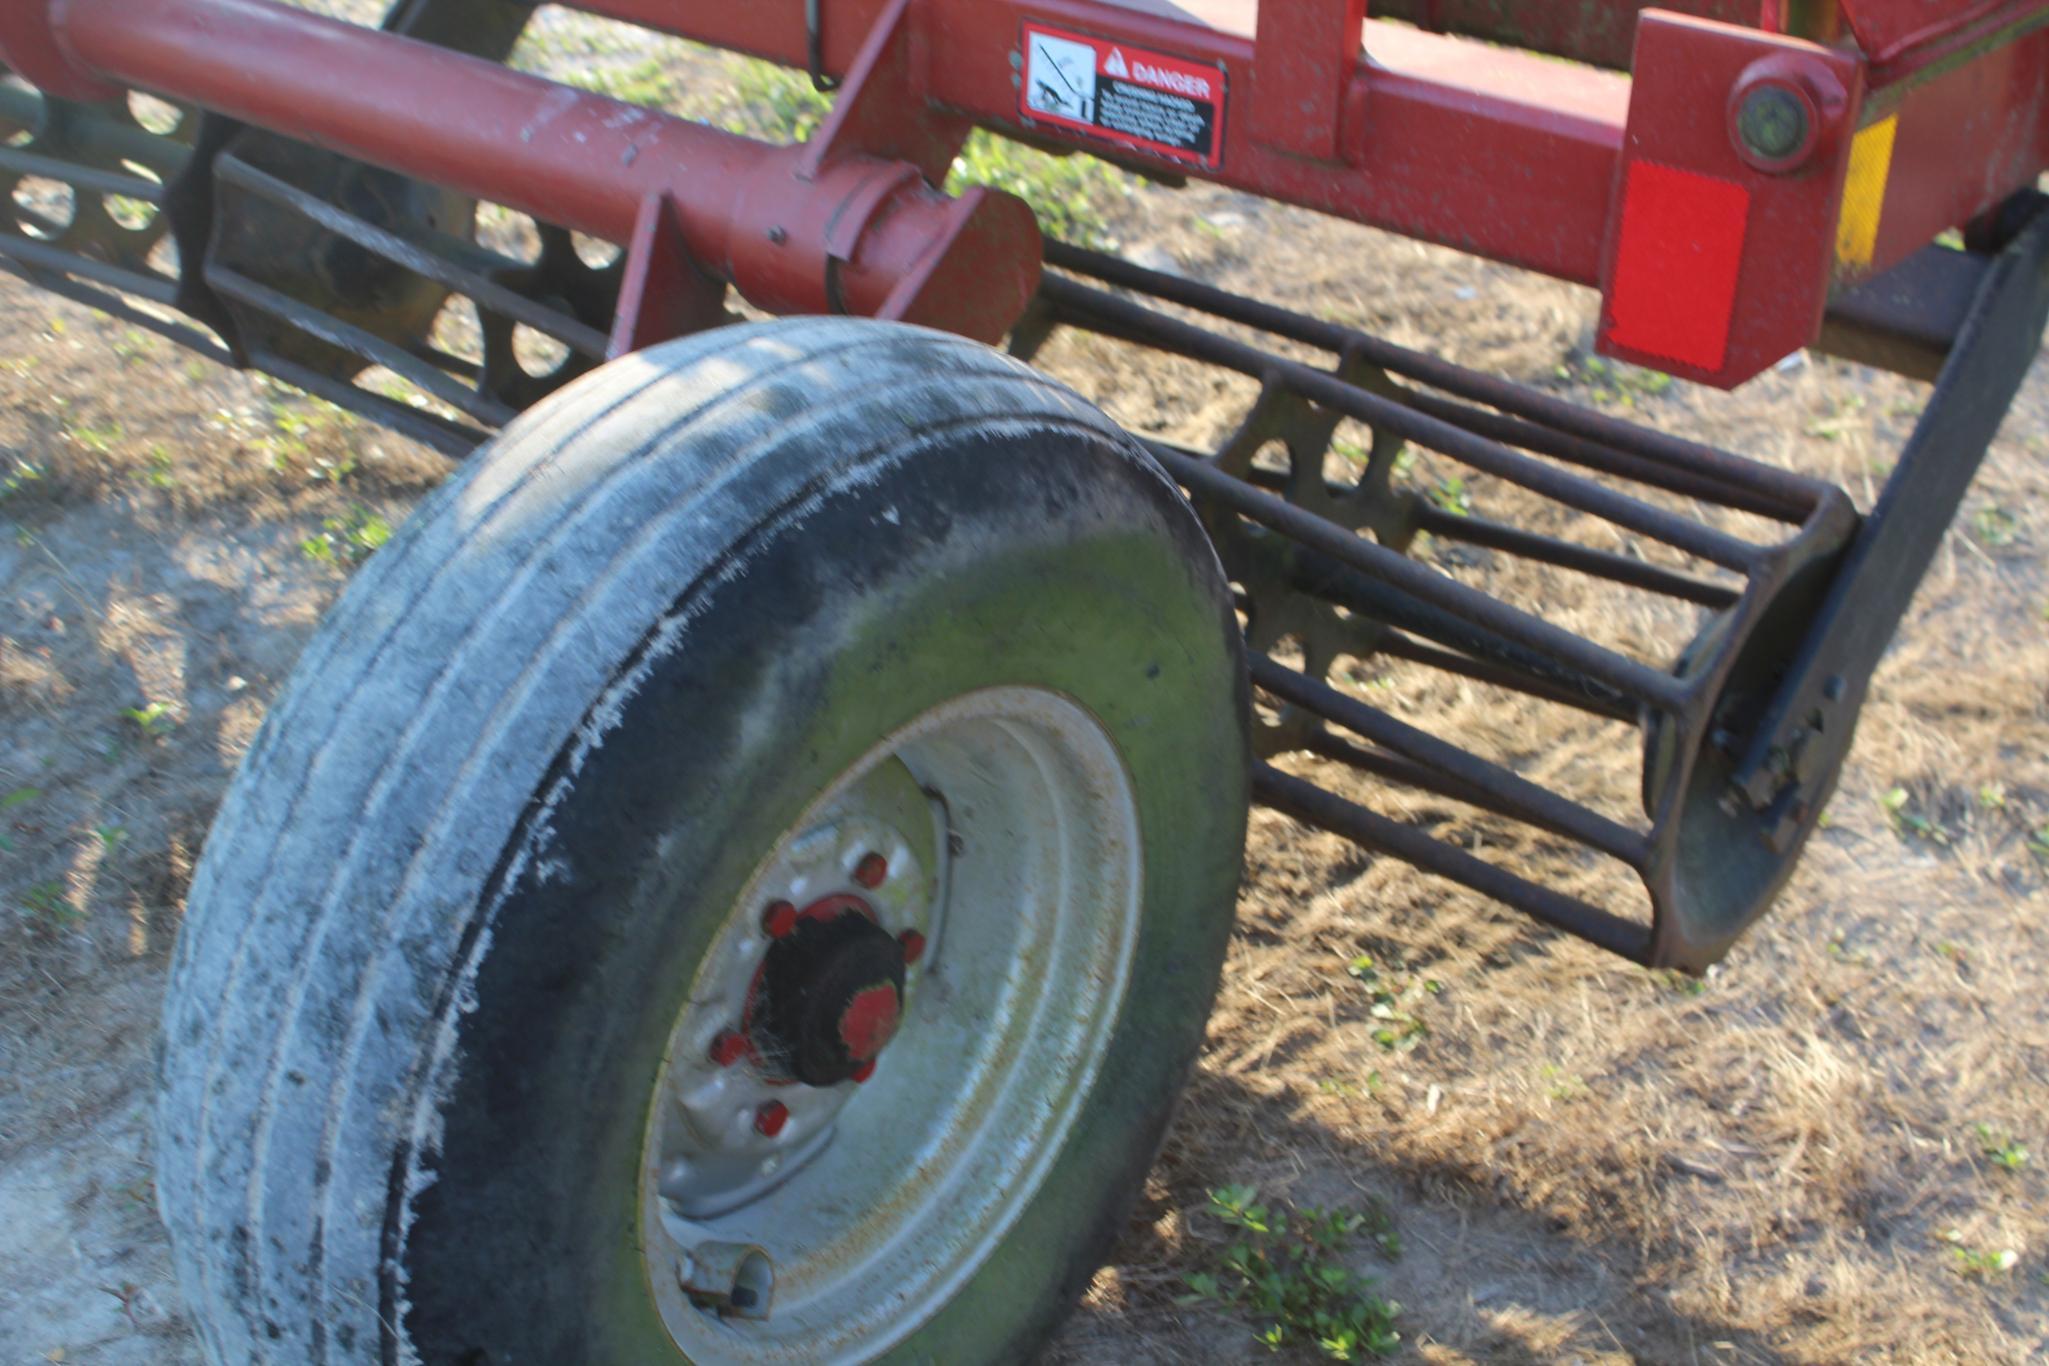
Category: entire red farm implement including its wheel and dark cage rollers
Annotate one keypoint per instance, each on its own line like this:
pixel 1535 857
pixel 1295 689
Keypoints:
pixel 743 876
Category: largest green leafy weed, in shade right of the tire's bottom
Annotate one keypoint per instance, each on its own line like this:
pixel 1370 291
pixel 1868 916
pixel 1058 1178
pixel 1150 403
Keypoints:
pixel 1282 1269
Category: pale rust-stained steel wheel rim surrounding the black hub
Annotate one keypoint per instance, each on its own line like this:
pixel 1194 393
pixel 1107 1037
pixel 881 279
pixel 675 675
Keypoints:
pixel 886 1195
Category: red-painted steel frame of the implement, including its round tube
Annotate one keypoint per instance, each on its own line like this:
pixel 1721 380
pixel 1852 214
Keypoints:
pixel 1714 261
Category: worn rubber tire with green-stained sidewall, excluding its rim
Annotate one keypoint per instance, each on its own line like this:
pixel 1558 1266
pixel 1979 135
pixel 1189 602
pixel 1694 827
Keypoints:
pixel 429 964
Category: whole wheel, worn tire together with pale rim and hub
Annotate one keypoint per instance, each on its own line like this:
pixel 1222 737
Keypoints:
pixel 741 878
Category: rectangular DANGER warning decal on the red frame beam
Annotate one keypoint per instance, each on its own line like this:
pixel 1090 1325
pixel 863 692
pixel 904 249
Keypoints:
pixel 1130 95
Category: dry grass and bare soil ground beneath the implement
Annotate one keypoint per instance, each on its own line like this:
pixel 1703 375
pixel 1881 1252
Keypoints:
pixel 1816 1154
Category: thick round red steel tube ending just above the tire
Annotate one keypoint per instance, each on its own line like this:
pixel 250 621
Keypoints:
pixel 860 237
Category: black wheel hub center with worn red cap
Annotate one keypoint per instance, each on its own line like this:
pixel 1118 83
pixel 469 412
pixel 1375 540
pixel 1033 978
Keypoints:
pixel 831 994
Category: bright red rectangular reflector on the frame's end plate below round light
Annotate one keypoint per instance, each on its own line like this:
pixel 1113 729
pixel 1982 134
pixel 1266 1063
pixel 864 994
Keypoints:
pixel 1675 267
